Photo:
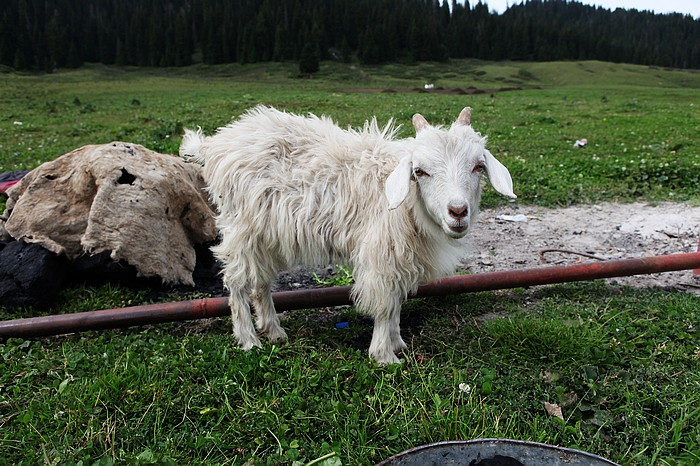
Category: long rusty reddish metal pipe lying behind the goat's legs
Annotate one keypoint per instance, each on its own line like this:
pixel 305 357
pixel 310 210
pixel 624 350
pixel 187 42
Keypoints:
pixel 322 297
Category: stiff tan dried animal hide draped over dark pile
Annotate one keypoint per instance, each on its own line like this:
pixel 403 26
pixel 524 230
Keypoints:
pixel 146 208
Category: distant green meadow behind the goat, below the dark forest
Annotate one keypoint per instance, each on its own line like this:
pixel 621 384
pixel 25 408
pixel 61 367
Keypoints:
pixel 642 139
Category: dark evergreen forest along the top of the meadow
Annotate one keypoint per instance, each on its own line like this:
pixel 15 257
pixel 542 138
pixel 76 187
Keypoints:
pixel 42 35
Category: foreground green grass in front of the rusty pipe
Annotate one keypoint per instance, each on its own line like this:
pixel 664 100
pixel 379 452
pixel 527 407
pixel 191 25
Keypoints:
pixel 622 364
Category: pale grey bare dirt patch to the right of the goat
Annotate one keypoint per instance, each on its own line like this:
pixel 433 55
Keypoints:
pixel 512 238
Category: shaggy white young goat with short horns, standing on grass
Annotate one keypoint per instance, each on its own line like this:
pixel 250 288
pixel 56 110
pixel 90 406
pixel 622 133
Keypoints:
pixel 294 190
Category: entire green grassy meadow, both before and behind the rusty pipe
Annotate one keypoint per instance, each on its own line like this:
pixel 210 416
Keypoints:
pixel 621 363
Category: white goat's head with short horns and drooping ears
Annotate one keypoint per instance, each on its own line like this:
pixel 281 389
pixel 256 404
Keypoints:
pixel 447 166
